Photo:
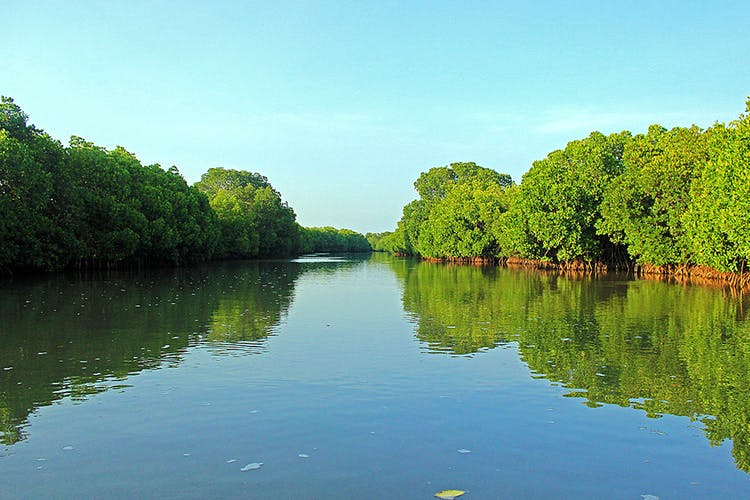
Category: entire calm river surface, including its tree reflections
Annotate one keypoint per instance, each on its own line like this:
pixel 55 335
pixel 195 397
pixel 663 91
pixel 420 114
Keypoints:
pixel 371 378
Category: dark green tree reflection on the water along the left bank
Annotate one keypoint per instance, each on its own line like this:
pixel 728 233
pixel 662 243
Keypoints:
pixel 73 336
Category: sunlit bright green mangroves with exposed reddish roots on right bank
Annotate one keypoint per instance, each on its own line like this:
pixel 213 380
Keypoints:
pixel 664 200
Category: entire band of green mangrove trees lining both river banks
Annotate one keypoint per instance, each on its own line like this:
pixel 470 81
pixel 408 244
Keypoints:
pixel 671 203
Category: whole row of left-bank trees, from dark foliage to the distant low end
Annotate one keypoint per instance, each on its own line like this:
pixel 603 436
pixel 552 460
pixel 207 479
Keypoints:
pixel 84 206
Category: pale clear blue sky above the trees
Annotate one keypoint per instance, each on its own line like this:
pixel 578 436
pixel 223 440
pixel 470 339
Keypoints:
pixel 342 104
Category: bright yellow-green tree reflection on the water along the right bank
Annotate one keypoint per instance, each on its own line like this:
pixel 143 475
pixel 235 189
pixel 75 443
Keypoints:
pixel 660 348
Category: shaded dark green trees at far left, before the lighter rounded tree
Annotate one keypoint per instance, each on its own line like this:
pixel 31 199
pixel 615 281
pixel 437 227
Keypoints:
pixel 86 206
